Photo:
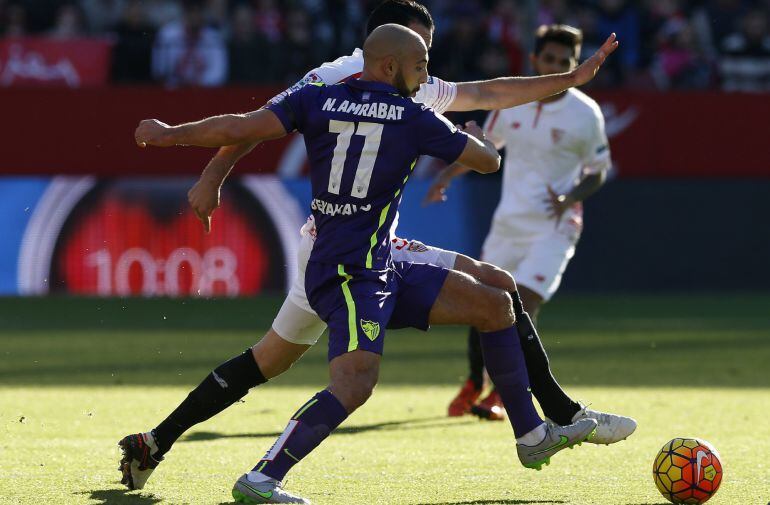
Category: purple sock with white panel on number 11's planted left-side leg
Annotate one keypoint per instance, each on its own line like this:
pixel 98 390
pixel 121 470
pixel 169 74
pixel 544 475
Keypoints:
pixel 308 427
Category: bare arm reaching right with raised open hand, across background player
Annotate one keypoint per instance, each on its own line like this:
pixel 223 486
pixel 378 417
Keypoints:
pixel 505 92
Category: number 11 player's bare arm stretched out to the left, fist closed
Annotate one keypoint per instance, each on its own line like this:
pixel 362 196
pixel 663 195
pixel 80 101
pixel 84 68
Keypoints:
pixel 215 131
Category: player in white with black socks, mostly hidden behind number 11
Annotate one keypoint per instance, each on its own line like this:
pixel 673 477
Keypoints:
pixel 297 327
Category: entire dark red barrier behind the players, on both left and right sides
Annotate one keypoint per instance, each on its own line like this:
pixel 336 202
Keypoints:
pixel 91 131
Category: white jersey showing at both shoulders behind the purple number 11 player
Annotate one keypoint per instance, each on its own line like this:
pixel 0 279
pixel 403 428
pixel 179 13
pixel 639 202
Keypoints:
pixel 435 93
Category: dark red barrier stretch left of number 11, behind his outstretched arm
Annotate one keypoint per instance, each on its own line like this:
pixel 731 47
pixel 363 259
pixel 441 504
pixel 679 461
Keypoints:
pixel 59 131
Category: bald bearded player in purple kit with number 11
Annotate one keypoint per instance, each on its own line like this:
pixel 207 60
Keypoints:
pixel 363 138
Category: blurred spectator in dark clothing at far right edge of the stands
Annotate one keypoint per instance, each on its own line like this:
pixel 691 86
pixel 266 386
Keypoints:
pixel 745 65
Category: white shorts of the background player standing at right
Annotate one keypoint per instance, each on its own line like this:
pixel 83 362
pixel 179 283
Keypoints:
pixel 536 260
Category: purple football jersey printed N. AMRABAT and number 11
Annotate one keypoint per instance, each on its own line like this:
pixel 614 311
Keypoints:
pixel 363 139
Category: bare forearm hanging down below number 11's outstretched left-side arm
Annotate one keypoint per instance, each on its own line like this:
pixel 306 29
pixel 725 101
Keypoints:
pixel 204 195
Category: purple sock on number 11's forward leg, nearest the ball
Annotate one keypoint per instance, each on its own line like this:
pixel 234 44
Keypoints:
pixel 505 364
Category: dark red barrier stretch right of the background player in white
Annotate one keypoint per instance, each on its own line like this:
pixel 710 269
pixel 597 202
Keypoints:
pixel 688 134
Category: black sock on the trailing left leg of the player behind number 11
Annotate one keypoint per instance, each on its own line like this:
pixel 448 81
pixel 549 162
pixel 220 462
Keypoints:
pixel 227 384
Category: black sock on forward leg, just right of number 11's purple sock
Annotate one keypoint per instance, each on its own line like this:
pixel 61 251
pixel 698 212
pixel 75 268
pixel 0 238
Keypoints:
pixel 555 403
